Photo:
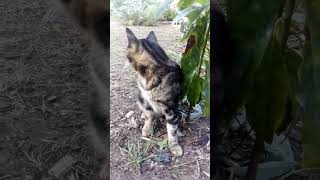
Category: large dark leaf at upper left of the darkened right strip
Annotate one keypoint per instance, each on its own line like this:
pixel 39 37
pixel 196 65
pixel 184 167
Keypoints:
pixel 249 43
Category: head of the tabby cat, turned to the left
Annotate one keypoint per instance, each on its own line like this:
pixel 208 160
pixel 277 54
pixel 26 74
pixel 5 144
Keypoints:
pixel 144 52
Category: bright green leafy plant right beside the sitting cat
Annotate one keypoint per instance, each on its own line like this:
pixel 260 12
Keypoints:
pixel 195 61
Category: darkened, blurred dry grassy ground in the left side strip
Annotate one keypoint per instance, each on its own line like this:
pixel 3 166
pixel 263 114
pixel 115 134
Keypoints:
pixel 44 92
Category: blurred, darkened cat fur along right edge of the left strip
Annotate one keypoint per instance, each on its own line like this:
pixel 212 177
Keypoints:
pixel 92 17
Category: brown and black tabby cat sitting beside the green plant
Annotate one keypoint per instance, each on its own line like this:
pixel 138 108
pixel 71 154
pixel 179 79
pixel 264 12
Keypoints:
pixel 160 84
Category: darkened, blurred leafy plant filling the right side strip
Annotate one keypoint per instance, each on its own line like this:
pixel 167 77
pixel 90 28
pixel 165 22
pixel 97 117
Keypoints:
pixel 271 83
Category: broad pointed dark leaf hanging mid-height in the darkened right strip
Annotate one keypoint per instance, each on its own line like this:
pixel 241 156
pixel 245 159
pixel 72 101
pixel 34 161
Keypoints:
pixel 266 104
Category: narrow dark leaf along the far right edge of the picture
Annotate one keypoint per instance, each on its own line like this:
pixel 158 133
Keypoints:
pixel 311 86
